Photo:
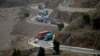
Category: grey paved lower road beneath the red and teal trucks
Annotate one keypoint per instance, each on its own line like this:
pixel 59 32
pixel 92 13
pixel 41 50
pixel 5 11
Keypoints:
pixel 49 45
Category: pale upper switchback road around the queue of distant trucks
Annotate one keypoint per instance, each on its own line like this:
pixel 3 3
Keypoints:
pixel 33 19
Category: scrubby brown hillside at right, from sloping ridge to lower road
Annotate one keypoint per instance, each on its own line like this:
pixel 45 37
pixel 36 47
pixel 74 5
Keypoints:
pixel 83 29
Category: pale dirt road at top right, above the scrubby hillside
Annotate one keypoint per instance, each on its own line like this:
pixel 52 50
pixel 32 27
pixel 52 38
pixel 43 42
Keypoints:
pixel 65 7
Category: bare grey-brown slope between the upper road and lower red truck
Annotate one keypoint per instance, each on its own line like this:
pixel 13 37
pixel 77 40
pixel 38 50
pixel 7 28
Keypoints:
pixel 28 29
